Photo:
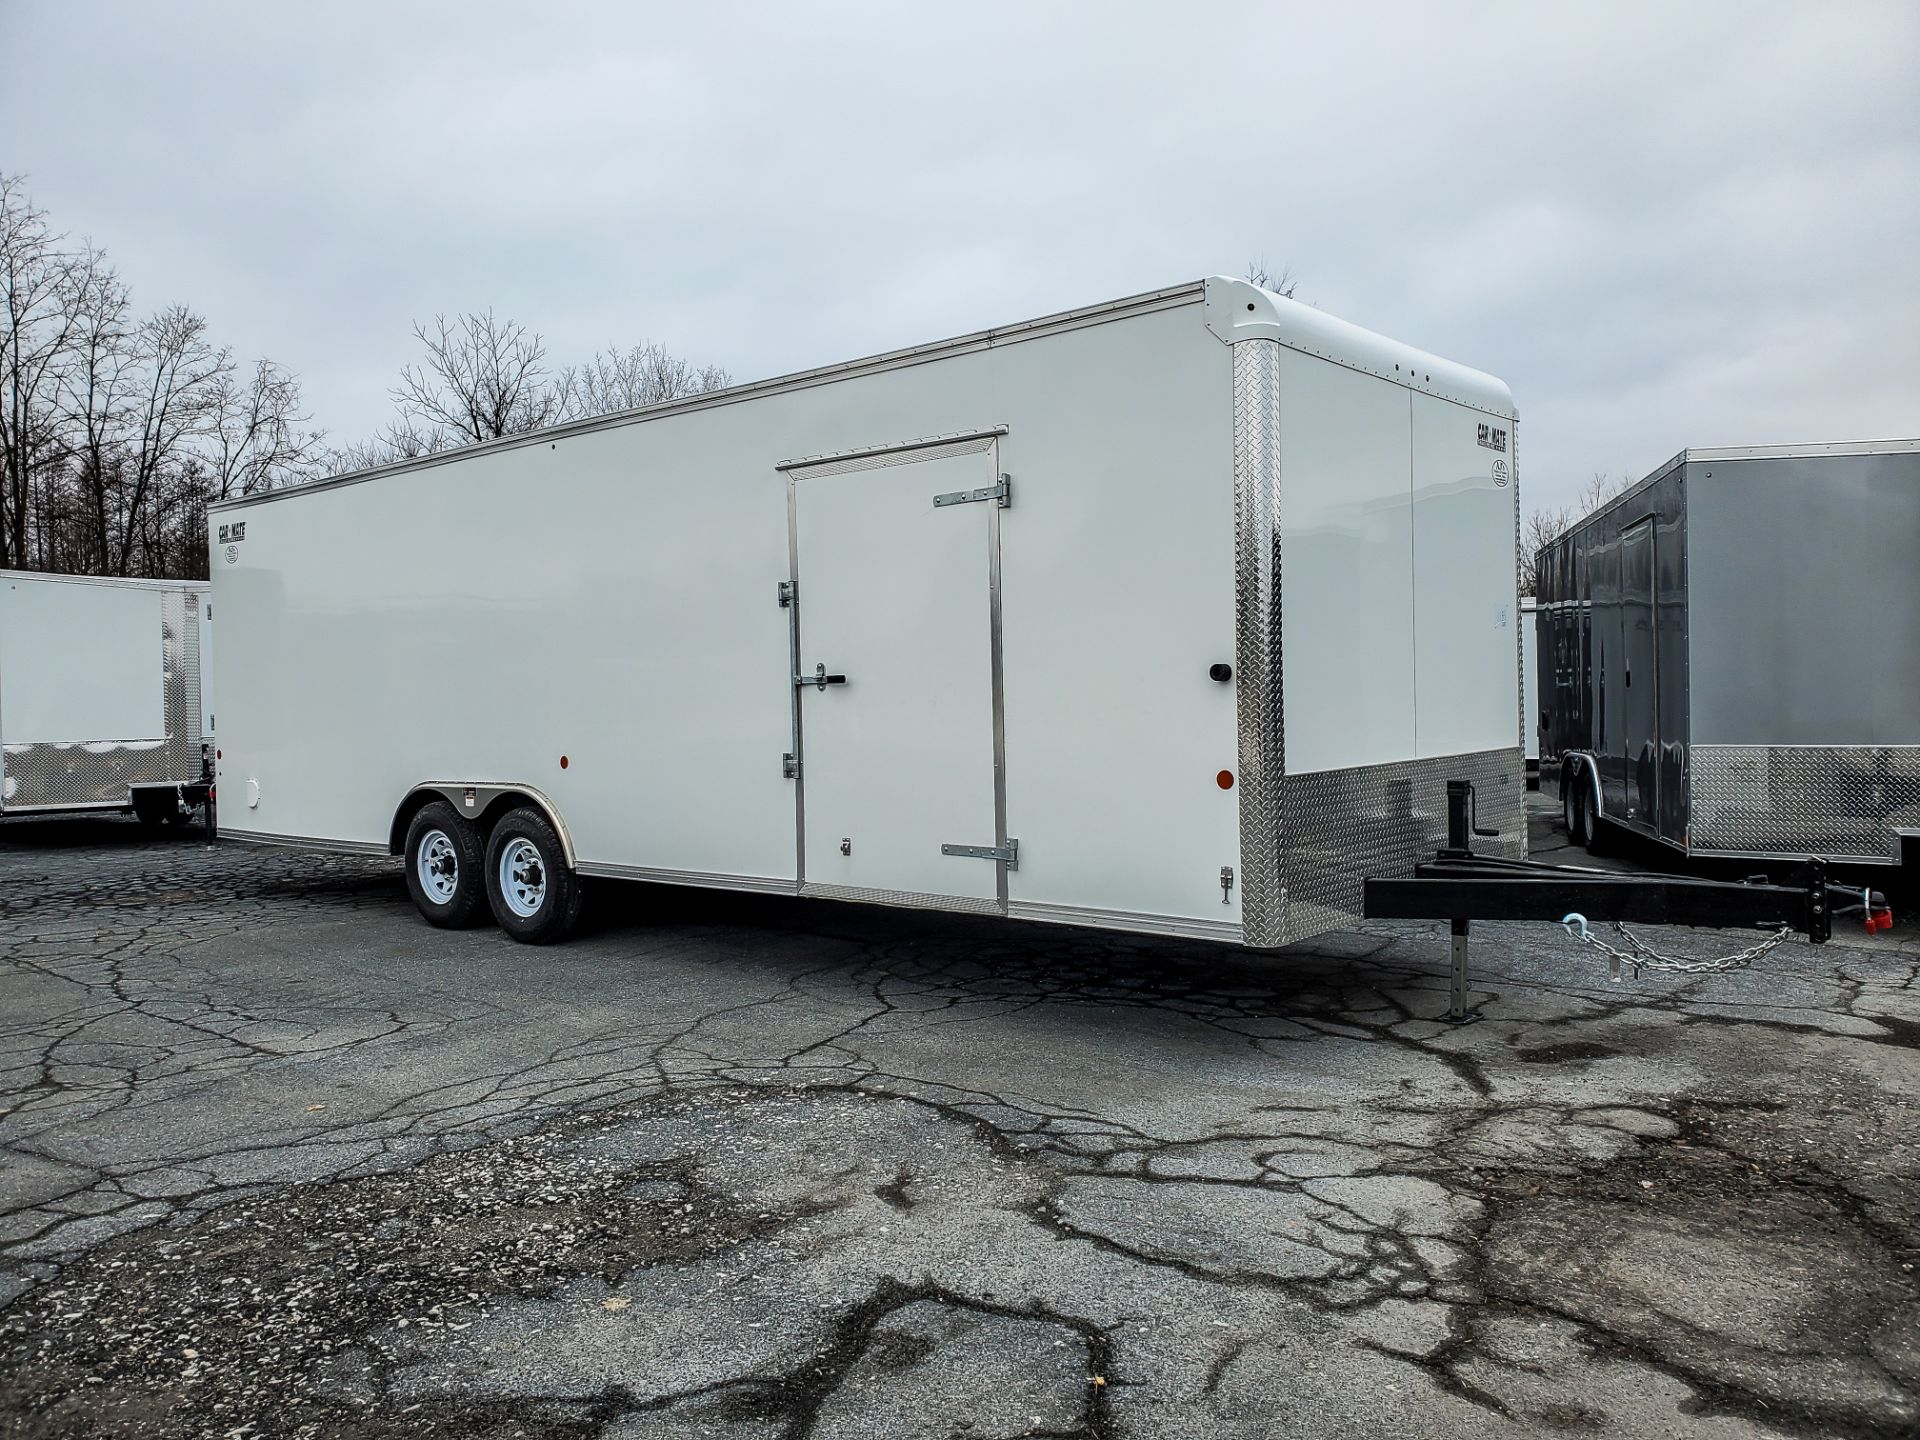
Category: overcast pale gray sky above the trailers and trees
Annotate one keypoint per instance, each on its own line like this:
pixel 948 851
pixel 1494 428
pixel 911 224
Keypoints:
pixel 1664 226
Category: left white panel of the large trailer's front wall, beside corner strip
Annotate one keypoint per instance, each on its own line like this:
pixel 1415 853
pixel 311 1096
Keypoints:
pixel 1347 573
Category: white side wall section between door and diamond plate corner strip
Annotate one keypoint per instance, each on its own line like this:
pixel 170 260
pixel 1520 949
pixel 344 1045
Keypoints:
pixel 1118 594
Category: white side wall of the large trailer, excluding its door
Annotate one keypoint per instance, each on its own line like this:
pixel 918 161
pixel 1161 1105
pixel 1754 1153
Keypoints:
pixel 612 596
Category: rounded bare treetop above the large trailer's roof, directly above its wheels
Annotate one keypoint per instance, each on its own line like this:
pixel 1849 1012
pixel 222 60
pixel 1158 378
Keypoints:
pixel 483 377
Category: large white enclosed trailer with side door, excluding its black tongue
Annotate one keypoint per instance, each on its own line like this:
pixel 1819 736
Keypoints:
pixel 1168 615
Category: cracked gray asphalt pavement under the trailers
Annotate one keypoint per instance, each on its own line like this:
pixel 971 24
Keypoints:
pixel 283 1161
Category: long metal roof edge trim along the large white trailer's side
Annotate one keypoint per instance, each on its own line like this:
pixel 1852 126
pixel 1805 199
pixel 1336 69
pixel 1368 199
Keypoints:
pixel 1115 310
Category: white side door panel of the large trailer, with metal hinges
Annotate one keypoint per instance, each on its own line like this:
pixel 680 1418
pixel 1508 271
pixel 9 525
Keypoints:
pixel 900 759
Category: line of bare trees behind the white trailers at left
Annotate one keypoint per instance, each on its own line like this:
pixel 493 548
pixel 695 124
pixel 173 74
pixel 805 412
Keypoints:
pixel 120 427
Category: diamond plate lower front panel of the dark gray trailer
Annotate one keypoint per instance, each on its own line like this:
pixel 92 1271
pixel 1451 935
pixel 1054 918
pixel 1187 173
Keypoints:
pixel 1840 802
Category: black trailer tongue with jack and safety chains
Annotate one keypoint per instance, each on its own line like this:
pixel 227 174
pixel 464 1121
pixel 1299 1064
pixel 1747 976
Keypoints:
pixel 1460 886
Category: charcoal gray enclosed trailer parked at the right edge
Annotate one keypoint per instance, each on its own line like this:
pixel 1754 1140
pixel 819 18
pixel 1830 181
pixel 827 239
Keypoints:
pixel 1729 656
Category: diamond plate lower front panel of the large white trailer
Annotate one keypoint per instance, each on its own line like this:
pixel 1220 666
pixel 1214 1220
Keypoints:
pixel 1383 819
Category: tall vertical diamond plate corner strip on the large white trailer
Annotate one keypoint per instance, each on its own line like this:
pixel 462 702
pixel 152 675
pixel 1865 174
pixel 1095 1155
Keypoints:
pixel 1257 585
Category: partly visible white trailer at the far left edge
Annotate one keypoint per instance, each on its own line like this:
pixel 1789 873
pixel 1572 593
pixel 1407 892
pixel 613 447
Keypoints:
pixel 101 694
